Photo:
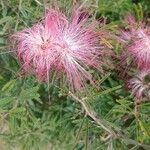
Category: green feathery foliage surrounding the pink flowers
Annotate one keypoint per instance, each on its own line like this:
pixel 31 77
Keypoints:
pixel 38 116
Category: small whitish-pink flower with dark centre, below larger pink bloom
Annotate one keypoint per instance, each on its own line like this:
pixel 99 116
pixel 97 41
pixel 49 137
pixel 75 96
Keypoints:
pixel 140 85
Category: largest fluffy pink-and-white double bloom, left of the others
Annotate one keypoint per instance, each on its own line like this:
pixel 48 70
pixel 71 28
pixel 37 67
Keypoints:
pixel 64 45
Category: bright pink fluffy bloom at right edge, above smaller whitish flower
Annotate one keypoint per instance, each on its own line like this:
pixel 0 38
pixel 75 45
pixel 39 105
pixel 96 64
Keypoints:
pixel 137 42
